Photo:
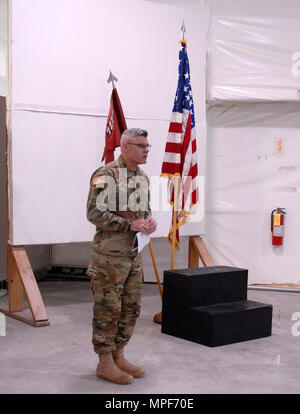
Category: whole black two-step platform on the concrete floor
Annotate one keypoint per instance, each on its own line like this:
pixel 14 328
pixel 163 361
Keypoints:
pixel 209 305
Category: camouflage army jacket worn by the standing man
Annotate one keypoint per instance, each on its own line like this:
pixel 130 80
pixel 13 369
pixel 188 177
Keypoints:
pixel 113 236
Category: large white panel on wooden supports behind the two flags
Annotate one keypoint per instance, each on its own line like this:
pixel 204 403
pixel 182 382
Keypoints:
pixel 62 51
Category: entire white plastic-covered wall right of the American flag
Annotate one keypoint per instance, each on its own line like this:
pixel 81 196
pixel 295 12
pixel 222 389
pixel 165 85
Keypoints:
pixel 253 142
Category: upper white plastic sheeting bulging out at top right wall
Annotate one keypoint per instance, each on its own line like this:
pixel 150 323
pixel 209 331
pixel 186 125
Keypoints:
pixel 254 51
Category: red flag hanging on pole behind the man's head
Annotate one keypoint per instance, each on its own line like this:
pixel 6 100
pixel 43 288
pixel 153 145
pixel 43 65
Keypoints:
pixel 115 125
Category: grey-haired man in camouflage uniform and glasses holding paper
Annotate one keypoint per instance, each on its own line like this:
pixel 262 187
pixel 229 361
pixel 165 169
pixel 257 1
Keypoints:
pixel 118 204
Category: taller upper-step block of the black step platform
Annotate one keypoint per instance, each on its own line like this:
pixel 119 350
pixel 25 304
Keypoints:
pixel 186 288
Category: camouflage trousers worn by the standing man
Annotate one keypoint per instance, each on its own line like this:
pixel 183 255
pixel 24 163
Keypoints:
pixel 116 284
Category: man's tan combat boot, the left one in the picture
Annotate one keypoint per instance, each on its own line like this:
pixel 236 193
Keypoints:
pixel 108 370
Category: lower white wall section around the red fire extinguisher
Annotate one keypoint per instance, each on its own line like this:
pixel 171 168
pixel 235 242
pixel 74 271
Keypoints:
pixel 247 180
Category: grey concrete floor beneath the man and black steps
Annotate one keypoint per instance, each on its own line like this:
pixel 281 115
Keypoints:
pixel 60 358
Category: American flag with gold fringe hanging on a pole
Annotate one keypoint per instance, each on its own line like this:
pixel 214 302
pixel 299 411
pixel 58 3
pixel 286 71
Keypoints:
pixel 180 158
